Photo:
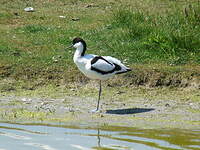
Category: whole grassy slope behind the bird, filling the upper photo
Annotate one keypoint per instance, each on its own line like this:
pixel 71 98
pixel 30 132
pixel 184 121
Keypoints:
pixel 137 32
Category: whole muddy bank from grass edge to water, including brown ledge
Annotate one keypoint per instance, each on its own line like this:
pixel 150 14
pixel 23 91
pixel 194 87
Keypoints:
pixel 153 96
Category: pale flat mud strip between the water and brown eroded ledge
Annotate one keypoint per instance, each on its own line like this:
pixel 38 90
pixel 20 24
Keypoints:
pixel 153 108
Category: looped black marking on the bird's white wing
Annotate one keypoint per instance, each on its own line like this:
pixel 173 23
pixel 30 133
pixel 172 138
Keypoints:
pixel 95 59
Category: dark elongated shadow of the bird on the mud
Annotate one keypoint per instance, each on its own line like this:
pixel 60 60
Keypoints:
pixel 129 111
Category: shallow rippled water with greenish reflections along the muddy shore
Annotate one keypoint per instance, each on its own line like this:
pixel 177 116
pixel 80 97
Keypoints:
pixel 41 137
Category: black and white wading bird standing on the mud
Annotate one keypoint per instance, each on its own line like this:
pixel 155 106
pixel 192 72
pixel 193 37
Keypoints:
pixel 94 66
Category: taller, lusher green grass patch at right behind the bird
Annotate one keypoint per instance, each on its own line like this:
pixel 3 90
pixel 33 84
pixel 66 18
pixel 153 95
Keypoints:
pixel 144 38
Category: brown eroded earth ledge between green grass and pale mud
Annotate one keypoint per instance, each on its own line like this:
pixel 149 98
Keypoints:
pixel 142 75
